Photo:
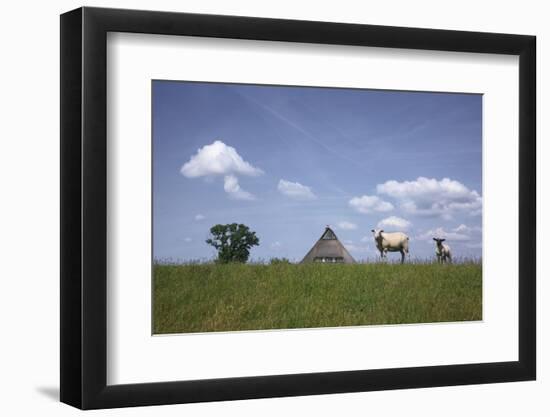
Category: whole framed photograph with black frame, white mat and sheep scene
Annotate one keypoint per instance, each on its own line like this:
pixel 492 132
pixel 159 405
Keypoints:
pixel 257 208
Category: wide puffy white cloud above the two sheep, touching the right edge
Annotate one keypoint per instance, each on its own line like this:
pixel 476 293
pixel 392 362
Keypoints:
pixel 432 197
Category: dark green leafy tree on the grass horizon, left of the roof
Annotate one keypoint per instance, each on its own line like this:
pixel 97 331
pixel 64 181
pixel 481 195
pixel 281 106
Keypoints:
pixel 232 241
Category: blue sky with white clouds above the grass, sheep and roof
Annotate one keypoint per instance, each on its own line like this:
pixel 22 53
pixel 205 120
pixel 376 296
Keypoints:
pixel 286 161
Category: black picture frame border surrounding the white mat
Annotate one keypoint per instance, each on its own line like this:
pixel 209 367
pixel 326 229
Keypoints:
pixel 84 207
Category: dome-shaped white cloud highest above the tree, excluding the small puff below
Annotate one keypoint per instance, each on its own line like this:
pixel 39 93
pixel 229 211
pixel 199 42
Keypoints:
pixel 217 159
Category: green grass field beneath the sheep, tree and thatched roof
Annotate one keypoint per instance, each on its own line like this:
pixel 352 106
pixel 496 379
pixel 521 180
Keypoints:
pixel 214 297
